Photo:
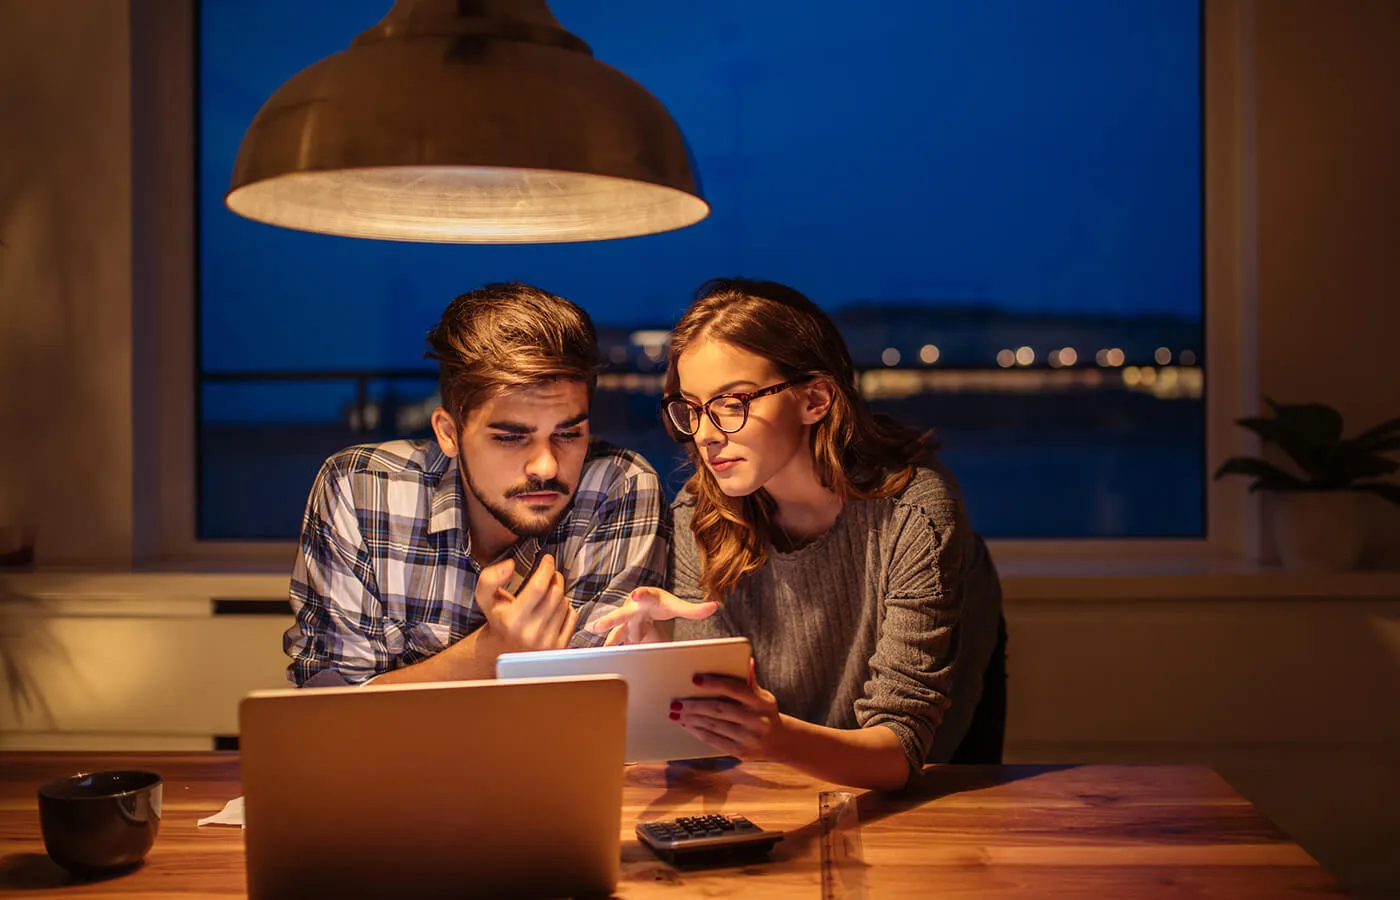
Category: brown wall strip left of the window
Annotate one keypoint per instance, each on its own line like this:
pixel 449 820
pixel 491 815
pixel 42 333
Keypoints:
pixel 66 278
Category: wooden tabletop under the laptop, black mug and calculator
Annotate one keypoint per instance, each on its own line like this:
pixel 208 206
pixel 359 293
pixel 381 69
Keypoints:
pixel 961 832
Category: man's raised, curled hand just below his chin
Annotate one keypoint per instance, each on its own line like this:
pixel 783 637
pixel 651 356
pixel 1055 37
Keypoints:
pixel 537 618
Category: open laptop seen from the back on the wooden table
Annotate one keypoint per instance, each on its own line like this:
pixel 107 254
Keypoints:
pixel 449 790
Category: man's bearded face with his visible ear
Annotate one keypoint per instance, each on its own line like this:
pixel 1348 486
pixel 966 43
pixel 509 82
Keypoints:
pixel 521 454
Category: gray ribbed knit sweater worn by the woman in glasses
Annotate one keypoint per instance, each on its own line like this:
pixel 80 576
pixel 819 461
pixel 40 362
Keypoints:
pixel 887 619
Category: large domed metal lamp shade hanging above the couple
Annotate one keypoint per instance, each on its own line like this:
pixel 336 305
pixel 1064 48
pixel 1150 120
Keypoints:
pixel 467 122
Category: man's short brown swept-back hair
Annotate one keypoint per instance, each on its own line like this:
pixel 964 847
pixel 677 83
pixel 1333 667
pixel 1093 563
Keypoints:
pixel 510 335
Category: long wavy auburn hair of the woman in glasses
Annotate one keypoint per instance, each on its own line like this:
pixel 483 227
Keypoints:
pixel 857 454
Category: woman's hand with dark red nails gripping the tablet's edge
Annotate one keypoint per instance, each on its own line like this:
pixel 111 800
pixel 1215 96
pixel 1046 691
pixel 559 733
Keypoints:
pixel 744 722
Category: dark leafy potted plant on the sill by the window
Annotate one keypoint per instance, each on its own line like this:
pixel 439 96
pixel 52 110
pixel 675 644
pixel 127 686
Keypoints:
pixel 1318 513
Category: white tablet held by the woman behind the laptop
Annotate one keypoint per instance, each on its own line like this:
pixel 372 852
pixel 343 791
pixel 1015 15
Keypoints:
pixel 656 675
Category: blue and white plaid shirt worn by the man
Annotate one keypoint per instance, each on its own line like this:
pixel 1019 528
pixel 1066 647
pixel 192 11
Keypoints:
pixel 386 577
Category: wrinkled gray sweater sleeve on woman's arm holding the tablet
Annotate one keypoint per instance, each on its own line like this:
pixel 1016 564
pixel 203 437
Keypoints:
pixel 926 547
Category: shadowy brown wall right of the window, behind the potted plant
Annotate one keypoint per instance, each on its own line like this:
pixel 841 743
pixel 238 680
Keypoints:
pixel 1329 213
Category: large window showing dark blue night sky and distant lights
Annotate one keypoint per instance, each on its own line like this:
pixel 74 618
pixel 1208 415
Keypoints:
pixel 999 202
